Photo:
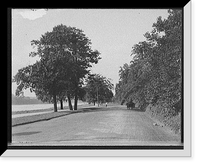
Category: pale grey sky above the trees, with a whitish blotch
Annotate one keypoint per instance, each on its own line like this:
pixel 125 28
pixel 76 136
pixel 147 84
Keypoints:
pixel 113 32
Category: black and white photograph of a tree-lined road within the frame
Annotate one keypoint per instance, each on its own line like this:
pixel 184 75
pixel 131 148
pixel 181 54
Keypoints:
pixel 98 78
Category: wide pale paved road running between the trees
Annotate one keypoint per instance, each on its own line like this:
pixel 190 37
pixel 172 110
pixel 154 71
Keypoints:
pixel 96 126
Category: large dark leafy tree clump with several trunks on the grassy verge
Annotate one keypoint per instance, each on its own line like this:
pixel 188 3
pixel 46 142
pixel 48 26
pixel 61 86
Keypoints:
pixel 65 57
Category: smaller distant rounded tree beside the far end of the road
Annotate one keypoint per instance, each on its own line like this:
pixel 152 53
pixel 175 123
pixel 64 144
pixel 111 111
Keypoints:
pixel 98 89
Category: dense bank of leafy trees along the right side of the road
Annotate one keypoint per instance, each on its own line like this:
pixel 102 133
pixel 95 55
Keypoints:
pixel 154 75
